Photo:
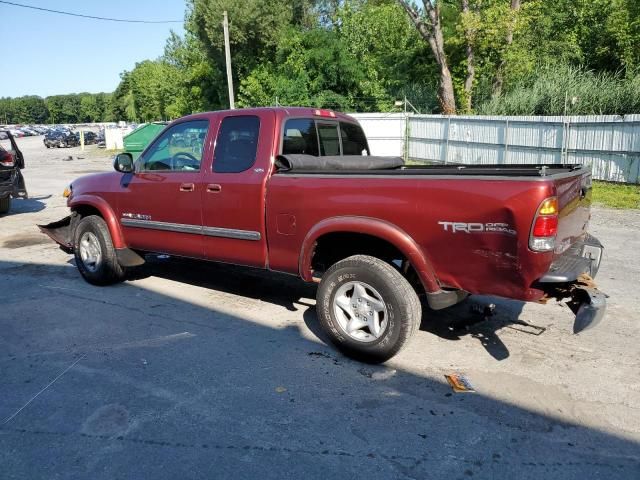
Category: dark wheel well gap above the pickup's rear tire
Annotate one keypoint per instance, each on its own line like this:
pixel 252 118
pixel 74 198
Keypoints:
pixel 333 247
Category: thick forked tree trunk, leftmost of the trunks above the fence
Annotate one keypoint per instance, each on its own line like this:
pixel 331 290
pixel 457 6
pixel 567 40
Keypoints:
pixel 430 29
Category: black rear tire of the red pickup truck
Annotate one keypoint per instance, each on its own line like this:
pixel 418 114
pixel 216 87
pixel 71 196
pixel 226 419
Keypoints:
pixel 403 308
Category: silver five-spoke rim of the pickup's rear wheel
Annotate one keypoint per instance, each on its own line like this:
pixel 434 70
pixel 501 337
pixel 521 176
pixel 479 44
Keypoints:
pixel 360 311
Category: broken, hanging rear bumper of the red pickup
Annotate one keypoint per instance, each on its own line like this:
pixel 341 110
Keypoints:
pixel 571 276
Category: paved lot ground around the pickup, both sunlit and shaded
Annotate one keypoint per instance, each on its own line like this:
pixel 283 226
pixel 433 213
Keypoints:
pixel 210 371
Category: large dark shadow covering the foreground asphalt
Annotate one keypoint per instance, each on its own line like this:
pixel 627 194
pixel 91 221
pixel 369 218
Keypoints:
pixel 135 383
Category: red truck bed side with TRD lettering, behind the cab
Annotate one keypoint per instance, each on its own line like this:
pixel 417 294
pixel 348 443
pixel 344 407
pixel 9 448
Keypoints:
pixel 422 200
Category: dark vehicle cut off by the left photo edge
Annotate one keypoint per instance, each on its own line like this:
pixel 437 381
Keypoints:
pixel 11 180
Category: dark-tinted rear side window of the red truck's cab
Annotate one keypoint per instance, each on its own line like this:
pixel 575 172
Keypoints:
pixel 237 144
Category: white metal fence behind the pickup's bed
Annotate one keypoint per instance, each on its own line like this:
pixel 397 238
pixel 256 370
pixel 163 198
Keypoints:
pixel 611 144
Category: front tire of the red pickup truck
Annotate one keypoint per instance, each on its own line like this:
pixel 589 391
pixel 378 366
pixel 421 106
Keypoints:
pixel 107 270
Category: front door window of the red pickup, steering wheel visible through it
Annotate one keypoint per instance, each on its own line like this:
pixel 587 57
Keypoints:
pixel 179 148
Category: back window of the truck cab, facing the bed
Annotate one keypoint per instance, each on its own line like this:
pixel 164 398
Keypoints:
pixel 322 138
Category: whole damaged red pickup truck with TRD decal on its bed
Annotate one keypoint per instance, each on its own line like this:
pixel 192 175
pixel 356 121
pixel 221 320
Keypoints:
pixel 295 190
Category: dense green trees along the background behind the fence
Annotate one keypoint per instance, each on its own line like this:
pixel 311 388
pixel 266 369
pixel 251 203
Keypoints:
pixel 502 57
